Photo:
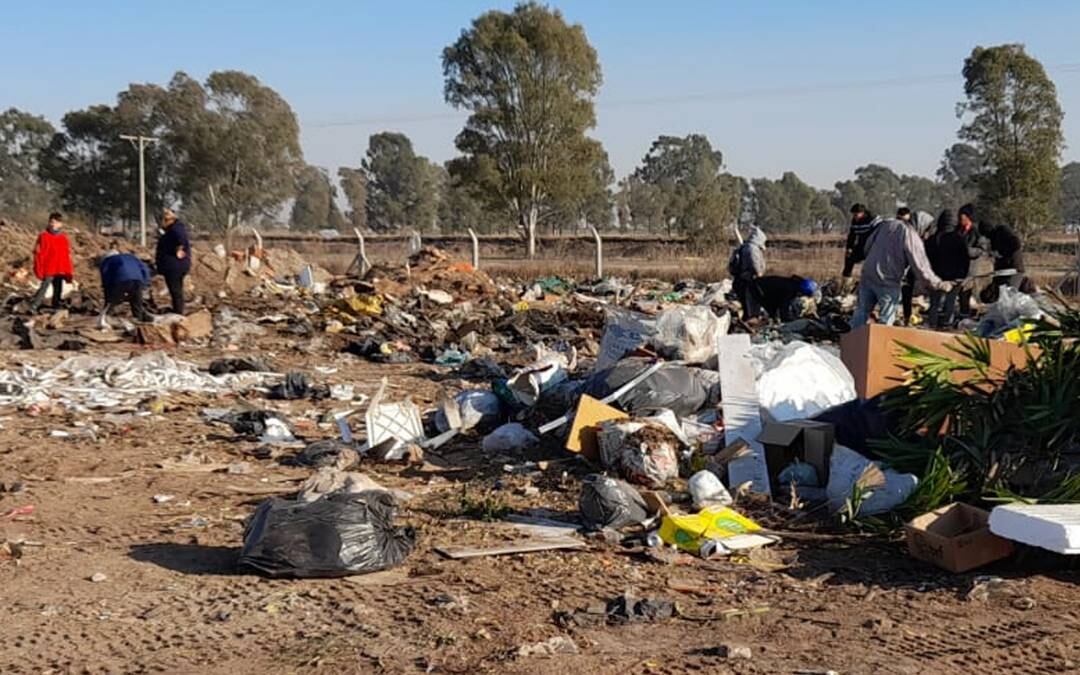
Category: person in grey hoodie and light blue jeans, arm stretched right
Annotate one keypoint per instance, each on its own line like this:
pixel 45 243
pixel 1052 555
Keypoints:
pixel 893 249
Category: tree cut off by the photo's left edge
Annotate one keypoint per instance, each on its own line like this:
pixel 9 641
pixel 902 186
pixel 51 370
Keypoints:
pixel 23 139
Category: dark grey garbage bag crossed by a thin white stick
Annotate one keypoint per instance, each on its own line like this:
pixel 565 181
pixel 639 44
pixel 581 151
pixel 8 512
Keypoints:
pixel 682 389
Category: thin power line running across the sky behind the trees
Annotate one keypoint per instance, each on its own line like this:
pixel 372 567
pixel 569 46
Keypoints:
pixel 728 97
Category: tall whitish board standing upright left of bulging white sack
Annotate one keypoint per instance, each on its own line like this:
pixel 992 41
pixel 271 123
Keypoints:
pixel 742 420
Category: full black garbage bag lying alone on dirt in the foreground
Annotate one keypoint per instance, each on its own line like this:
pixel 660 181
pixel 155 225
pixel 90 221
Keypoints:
pixel 337 535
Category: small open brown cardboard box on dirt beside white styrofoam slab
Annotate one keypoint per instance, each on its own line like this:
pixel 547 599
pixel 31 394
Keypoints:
pixel 956 538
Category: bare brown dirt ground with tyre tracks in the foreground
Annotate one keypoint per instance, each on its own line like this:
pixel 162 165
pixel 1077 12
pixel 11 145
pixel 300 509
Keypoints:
pixel 172 600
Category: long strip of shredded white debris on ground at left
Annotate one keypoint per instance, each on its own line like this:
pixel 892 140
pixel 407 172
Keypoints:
pixel 84 384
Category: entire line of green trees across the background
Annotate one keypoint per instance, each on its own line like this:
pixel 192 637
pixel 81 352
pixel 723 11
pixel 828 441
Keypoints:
pixel 228 153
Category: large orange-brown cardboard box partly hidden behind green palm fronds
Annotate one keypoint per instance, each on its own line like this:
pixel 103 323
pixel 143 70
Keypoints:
pixel 872 355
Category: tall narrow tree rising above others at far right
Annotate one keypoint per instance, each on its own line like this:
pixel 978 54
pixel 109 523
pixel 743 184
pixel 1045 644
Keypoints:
pixel 1012 118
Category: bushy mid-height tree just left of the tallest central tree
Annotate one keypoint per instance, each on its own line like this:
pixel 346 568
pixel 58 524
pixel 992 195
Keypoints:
pixel 402 190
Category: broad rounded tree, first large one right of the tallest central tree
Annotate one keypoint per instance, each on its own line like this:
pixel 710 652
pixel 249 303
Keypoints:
pixel 697 199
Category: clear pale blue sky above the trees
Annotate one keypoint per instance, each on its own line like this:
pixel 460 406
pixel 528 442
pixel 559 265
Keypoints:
pixel 776 86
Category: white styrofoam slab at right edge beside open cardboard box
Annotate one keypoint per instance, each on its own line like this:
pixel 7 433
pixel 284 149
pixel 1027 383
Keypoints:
pixel 1055 528
